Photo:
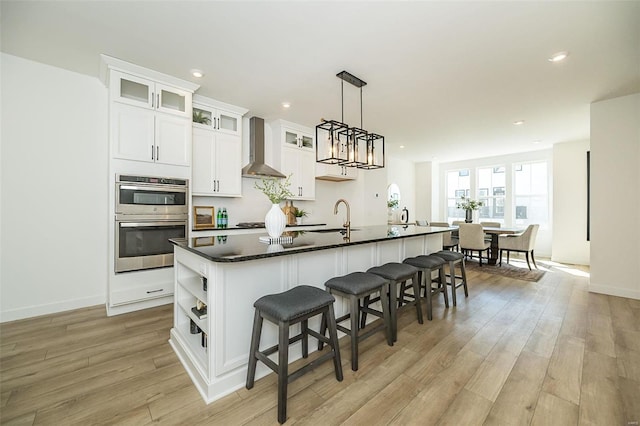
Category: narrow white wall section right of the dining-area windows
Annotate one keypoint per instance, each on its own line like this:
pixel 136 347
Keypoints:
pixel 570 243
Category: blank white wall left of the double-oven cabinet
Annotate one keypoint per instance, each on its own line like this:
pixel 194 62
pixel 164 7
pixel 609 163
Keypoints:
pixel 53 190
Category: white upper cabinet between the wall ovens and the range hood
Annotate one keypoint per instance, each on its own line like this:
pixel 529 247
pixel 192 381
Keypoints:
pixel 217 148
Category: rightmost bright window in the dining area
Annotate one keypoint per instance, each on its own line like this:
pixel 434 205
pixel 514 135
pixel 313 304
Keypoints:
pixel 530 195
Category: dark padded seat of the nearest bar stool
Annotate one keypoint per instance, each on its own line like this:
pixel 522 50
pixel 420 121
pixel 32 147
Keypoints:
pixel 294 303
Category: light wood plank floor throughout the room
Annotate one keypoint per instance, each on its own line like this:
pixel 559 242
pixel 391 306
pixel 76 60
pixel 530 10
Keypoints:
pixel 513 353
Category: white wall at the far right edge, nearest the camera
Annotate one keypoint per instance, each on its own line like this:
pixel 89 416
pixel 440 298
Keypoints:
pixel 615 191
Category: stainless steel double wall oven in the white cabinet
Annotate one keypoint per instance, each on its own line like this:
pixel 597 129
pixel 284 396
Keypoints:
pixel 148 212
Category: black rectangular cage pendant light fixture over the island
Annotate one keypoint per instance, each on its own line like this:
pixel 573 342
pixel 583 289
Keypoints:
pixel 339 143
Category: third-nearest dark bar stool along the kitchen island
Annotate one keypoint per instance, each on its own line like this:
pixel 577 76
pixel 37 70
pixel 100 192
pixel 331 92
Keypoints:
pixel 396 273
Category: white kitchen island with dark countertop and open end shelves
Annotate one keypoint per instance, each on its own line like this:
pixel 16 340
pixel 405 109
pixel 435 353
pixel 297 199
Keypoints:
pixel 228 273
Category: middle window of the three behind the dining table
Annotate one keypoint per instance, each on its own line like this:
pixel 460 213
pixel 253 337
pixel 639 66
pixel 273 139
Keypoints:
pixel 491 191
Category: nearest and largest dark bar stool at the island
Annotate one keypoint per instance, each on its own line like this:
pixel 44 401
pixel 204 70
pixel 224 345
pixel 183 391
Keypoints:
pixel 285 309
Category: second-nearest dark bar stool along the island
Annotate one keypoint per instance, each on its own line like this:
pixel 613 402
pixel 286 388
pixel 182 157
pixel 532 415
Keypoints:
pixel 356 286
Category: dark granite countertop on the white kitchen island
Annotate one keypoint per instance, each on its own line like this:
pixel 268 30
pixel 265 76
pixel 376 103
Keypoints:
pixel 238 248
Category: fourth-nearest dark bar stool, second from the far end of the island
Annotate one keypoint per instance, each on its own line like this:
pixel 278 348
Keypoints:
pixel 426 265
